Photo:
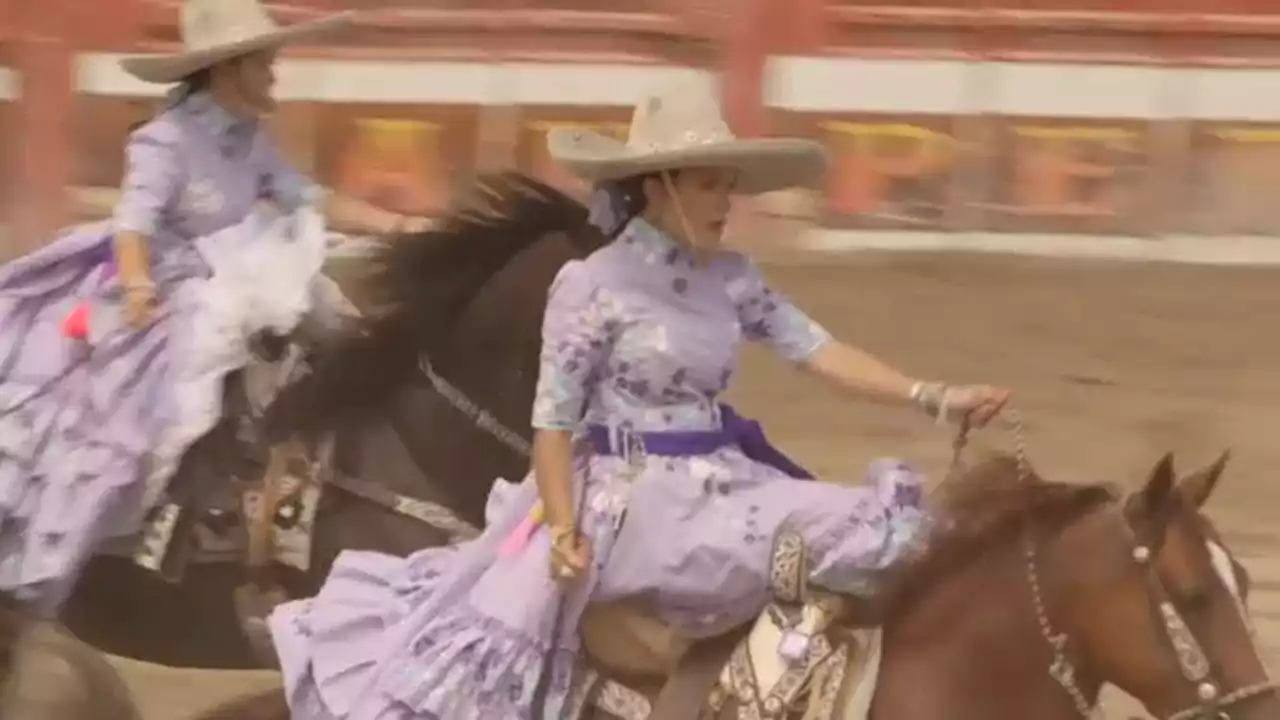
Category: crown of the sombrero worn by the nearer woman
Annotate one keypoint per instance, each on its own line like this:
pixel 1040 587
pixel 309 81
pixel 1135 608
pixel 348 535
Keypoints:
pixel 678 119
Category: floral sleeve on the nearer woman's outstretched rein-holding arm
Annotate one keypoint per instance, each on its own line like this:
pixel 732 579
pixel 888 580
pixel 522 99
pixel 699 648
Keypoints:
pixel 769 317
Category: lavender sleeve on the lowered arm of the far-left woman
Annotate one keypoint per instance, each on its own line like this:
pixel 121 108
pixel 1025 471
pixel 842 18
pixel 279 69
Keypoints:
pixel 153 176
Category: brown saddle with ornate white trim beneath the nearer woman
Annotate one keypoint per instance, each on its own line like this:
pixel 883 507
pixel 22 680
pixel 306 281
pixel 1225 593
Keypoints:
pixel 798 653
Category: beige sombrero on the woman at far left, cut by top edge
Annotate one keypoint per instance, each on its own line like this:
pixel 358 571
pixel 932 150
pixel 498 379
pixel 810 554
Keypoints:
pixel 220 30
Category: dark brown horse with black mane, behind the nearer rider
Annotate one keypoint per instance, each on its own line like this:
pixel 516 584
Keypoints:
pixel 465 298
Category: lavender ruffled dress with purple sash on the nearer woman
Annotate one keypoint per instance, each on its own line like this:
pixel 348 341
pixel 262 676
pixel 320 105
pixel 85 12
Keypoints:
pixel 638 344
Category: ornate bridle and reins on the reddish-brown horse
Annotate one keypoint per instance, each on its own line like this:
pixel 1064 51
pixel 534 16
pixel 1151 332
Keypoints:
pixel 1212 703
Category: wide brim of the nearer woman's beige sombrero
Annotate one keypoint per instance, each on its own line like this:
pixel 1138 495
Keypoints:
pixel 762 166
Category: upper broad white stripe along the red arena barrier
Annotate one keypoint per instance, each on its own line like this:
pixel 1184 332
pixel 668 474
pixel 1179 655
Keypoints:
pixel 804 84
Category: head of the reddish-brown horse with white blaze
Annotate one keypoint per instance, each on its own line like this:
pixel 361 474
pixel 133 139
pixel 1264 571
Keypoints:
pixel 1164 614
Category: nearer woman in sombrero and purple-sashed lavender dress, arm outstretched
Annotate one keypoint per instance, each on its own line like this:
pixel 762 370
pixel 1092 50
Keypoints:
pixel 638 347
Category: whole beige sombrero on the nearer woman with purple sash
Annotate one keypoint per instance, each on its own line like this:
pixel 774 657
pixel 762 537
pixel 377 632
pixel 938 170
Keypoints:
pixel 684 127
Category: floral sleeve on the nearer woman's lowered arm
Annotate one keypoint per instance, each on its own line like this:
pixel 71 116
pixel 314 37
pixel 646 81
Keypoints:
pixel 579 331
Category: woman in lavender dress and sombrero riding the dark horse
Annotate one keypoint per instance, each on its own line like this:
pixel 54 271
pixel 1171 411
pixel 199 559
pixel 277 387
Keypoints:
pixel 116 338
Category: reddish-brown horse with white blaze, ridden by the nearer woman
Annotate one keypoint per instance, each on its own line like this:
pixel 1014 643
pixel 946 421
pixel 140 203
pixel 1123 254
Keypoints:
pixel 1031 598
